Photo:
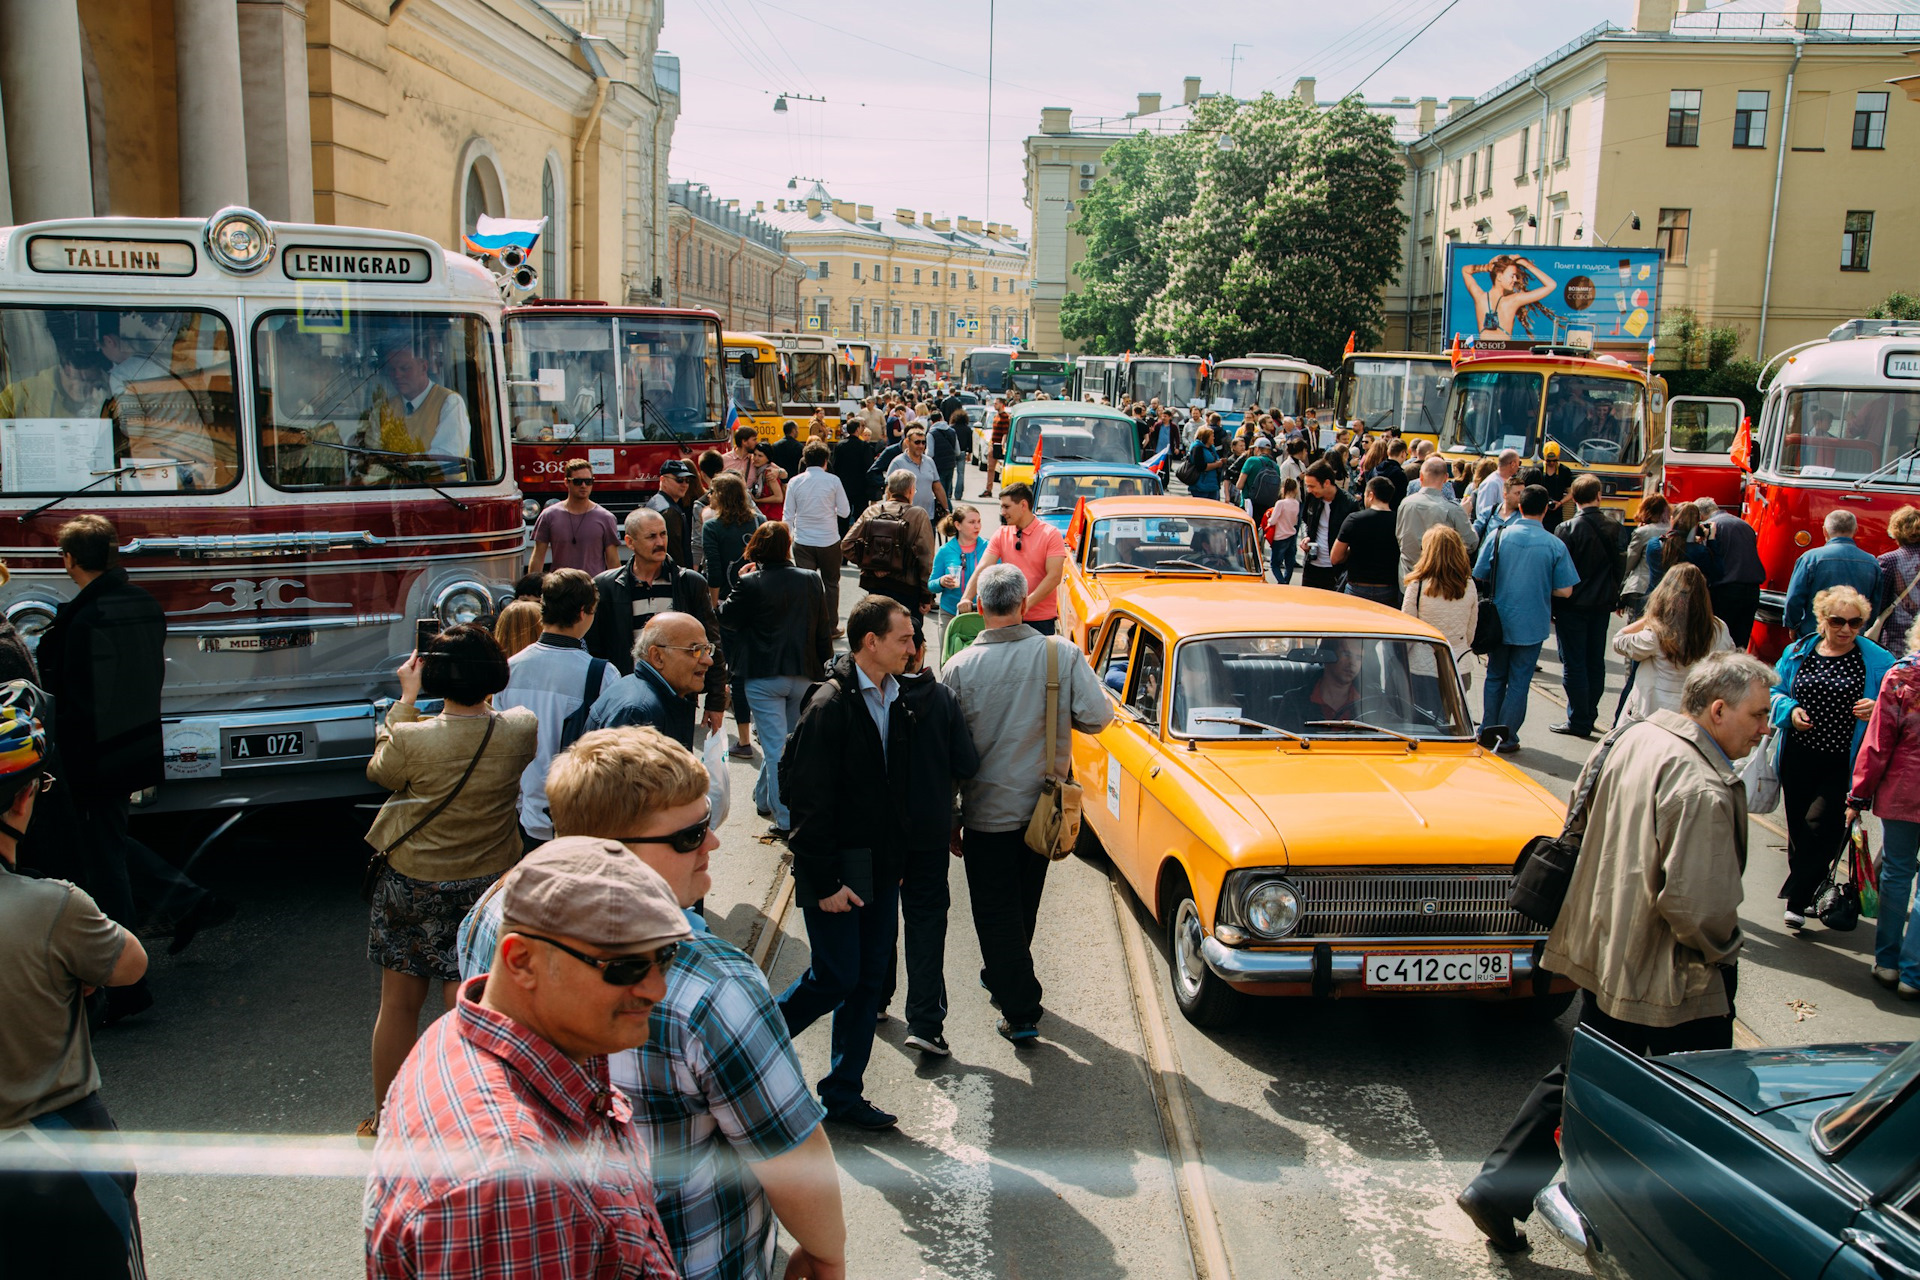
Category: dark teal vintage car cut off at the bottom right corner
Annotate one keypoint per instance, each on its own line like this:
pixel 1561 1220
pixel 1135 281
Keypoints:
pixel 1742 1164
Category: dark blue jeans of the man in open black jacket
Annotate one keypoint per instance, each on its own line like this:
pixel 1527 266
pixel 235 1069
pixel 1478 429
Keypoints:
pixel 850 962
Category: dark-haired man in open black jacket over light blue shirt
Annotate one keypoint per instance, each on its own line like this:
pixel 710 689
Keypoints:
pixel 848 774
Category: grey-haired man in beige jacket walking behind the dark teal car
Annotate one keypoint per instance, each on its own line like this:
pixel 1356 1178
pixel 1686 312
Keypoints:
pixel 1650 928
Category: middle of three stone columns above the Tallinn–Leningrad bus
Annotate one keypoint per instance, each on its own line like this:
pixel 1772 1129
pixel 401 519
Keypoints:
pixel 214 168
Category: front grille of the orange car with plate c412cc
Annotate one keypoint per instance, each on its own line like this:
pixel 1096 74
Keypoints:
pixel 1414 905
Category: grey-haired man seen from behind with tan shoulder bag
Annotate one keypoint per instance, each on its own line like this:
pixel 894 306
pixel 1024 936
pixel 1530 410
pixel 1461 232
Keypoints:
pixel 1001 682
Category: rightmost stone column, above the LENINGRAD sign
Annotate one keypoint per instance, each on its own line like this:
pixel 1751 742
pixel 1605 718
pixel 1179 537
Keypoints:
pixel 274 83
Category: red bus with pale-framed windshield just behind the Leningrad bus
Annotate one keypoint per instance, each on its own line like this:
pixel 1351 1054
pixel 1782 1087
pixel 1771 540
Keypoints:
pixel 625 389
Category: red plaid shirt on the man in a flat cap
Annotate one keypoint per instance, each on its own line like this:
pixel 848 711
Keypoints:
pixel 502 1158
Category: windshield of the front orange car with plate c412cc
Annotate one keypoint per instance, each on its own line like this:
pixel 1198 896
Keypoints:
pixel 1322 686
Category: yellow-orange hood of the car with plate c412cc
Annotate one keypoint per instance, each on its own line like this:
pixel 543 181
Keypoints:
pixel 1437 807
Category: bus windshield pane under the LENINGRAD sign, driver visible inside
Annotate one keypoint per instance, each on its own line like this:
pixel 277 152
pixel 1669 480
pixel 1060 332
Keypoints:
pixel 396 402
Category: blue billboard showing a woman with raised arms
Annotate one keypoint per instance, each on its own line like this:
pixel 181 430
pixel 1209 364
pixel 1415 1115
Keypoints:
pixel 1514 296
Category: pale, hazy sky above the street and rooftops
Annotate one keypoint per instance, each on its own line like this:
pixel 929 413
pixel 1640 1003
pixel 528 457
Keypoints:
pixel 921 70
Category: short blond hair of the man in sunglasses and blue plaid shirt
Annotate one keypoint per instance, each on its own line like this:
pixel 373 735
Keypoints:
pixel 612 780
